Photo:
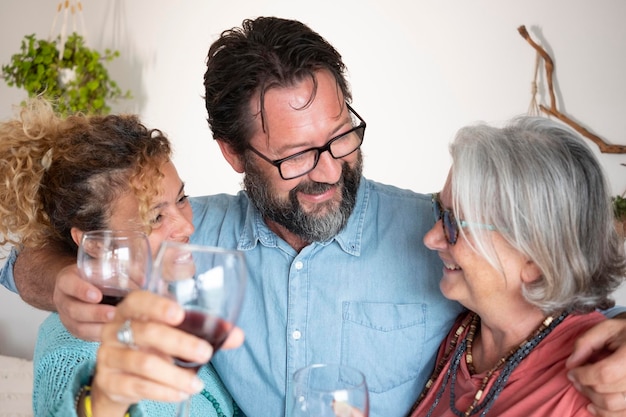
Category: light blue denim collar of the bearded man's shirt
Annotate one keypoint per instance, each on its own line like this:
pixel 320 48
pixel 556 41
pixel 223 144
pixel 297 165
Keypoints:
pixel 255 229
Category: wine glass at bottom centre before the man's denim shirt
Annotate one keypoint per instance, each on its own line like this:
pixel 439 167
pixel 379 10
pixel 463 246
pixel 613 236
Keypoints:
pixel 329 390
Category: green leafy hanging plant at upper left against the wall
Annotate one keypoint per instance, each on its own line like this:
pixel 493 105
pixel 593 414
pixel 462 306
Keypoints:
pixel 77 81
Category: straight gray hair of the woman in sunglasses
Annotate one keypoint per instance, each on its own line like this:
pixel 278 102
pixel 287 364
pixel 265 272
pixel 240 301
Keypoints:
pixel 543 189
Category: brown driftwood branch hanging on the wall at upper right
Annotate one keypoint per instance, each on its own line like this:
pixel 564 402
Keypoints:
pixel 553 109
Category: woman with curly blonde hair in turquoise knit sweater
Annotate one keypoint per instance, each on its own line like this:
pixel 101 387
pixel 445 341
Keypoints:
pixel 60 177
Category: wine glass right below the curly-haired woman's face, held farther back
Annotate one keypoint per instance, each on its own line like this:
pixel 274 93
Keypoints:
pixel 115 261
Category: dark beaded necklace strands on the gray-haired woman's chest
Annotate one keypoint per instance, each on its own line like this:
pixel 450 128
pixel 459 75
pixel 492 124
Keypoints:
pixel 508 363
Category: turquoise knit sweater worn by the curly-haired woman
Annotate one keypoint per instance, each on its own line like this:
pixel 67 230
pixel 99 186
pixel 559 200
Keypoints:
pixel 63 364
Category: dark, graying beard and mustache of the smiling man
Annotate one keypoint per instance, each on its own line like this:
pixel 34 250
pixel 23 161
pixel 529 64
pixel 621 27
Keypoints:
pixel 313 226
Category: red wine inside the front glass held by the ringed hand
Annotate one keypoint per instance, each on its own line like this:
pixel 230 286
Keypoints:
pixel 210 328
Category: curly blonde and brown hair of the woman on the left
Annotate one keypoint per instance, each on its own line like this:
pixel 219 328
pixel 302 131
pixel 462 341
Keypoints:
pixel 57 173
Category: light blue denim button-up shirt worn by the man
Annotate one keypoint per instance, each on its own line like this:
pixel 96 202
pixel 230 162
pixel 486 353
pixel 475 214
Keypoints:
pixel 368 298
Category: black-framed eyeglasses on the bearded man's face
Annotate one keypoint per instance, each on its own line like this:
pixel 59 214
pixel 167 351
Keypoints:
pixel 301 163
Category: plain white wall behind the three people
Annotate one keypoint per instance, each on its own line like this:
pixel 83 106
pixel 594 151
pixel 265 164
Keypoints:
pixel 419 70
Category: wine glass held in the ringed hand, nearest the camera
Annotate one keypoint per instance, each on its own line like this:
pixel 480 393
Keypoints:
pixel 209 283
